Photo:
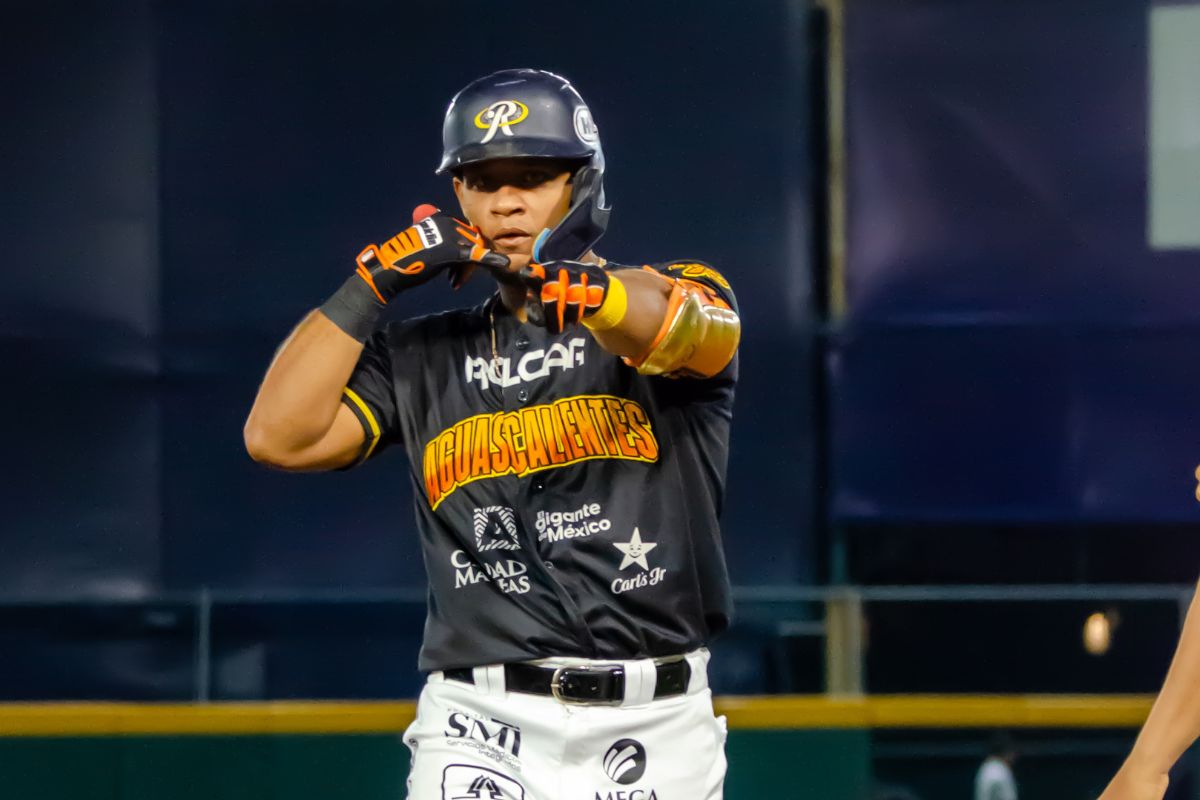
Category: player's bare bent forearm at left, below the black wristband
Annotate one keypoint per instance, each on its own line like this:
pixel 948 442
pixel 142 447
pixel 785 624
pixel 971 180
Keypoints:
pixel 303 389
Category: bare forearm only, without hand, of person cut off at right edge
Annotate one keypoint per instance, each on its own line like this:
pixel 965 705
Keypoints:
pixel 1174 723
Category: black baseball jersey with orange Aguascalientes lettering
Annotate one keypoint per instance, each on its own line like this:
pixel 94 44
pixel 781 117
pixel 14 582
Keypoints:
pixel 567 506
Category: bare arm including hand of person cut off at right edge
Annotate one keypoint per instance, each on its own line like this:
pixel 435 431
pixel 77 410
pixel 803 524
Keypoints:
pixel 1173 725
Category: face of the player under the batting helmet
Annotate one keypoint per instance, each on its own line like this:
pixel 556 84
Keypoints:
pixel 512 201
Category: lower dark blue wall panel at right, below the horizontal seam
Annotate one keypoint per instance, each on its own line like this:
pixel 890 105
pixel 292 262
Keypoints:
pixel 1016 424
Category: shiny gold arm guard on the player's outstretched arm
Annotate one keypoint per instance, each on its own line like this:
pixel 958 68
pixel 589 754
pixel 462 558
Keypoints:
pixel 699 338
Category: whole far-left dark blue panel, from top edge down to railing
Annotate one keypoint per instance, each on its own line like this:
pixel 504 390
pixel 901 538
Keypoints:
pixel 81 418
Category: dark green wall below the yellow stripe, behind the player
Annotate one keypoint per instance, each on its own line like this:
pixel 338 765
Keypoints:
pixel 820 765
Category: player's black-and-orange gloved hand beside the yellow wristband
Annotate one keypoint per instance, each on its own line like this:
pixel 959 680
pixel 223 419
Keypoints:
pixel 563 293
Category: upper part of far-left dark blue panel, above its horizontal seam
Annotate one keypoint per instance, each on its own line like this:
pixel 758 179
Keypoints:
pixel 80 197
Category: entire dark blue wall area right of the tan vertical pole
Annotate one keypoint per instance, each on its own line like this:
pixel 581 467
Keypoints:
pixel 1013 350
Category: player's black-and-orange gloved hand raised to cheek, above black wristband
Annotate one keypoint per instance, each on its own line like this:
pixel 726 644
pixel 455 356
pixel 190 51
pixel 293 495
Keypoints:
pixel 435 244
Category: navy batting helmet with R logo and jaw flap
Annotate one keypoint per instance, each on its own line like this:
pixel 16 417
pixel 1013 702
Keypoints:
pixel 533 115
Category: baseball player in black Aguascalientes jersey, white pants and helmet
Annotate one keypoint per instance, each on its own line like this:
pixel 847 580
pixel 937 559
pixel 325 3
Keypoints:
pixel 567 443
